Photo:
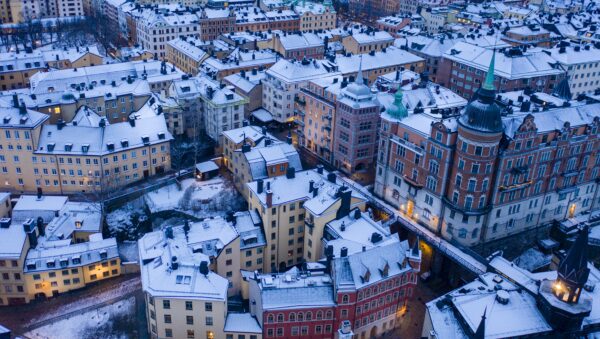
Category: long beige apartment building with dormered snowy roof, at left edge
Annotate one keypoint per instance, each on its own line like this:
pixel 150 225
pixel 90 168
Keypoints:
pixel 89 157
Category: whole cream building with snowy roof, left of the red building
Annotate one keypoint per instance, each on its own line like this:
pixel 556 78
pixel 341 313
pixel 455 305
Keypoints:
pixel 184 298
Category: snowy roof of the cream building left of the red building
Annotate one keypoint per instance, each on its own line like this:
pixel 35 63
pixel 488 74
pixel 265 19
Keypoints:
pixel 158 252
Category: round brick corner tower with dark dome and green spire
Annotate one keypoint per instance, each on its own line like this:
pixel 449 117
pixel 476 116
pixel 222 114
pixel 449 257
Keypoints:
pixel 479 133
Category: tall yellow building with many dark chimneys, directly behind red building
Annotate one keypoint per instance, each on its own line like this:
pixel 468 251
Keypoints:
pixel 295 209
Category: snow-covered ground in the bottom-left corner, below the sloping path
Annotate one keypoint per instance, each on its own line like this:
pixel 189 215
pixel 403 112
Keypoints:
pixel 106 320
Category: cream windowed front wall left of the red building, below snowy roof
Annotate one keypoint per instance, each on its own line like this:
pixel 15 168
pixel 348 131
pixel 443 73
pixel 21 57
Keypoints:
pixel 202 312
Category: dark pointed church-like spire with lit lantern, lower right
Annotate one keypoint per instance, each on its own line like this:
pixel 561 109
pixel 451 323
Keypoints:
pixel 563 301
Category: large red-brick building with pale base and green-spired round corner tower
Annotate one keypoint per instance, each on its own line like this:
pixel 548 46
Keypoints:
pixel 482 175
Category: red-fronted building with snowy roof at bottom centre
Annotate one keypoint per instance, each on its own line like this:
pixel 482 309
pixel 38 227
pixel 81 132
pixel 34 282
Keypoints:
pixel 363 289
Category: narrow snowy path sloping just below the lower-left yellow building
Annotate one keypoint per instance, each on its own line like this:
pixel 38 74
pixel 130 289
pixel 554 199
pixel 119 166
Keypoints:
pixel 112 293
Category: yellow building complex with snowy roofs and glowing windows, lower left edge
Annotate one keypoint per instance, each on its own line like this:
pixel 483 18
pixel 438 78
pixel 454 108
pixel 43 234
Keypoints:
pixel 52 246
